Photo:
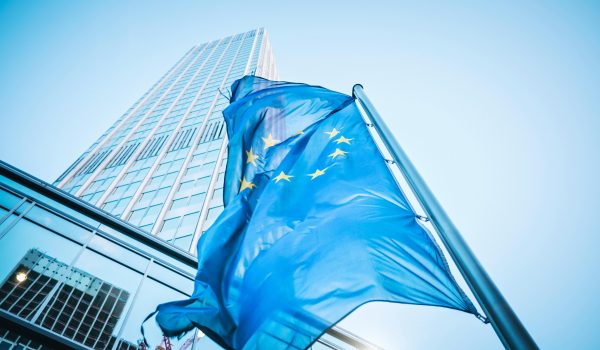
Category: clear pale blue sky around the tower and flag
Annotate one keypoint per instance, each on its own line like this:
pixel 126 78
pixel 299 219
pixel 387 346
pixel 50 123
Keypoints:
pixel 497 103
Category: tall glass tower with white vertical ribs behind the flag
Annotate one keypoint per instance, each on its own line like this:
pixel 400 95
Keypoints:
pixel 160 166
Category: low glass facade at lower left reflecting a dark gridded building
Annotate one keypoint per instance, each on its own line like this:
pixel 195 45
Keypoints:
pixel 89 281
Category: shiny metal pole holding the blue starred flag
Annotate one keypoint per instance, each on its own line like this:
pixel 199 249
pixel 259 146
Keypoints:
pixel 505 322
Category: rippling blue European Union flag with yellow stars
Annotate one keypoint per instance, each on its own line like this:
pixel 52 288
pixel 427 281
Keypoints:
pixel 314 226
